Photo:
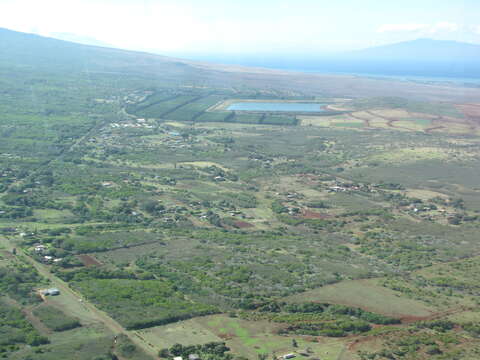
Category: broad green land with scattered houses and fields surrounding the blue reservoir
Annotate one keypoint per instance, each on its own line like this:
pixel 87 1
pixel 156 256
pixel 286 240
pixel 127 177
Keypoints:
pixel 357 237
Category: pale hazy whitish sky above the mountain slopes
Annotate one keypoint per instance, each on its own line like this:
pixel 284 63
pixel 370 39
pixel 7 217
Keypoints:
pixel 246 26
